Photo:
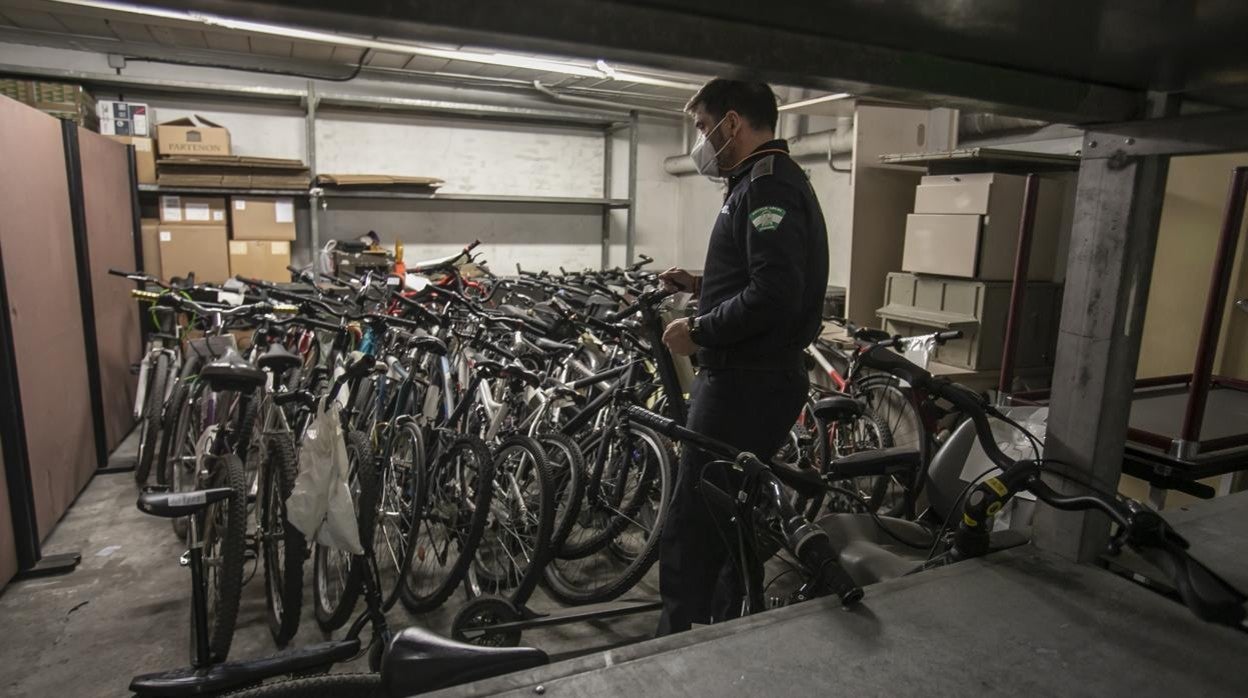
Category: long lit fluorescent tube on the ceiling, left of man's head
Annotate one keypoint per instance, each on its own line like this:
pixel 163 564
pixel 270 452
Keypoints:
pixel 602 71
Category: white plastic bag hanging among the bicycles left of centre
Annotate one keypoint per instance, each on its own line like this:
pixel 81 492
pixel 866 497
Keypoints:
pixel 321 504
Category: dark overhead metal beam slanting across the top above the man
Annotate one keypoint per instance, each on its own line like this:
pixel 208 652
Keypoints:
pixel 681 39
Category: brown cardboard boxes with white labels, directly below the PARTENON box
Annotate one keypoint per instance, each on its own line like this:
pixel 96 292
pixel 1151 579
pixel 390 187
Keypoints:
pixel 193 237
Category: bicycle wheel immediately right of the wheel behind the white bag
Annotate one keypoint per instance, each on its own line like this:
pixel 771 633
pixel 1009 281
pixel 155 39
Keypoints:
pixel 401 491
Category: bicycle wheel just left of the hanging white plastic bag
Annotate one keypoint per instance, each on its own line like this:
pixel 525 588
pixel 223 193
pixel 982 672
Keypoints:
pixel 285 546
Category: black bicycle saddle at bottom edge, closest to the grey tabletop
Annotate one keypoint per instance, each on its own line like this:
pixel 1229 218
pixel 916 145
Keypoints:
pixel 419 662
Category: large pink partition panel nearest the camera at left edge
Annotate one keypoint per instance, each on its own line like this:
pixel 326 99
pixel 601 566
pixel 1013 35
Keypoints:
pixel 37 240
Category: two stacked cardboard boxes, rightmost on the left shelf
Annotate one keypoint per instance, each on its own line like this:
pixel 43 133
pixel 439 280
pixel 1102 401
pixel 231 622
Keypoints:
pixel 261 230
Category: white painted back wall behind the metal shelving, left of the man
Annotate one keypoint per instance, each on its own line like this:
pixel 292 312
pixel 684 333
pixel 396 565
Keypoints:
pixel 474 157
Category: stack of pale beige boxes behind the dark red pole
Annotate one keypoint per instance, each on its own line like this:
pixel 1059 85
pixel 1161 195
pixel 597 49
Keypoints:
pixel 959 262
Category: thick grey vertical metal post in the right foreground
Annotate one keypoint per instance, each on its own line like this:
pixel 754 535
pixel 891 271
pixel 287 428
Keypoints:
pixel 1109 272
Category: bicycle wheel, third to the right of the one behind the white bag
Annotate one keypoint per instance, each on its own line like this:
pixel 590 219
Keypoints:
pixel 517 540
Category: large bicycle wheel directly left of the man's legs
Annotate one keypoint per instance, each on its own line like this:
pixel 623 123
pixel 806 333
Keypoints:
pixel 646 475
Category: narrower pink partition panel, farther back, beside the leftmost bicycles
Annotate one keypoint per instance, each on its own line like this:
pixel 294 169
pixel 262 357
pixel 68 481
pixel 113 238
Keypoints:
pixel 110 233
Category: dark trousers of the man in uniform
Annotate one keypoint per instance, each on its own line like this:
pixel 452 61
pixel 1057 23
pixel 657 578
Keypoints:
pixel 753 410
